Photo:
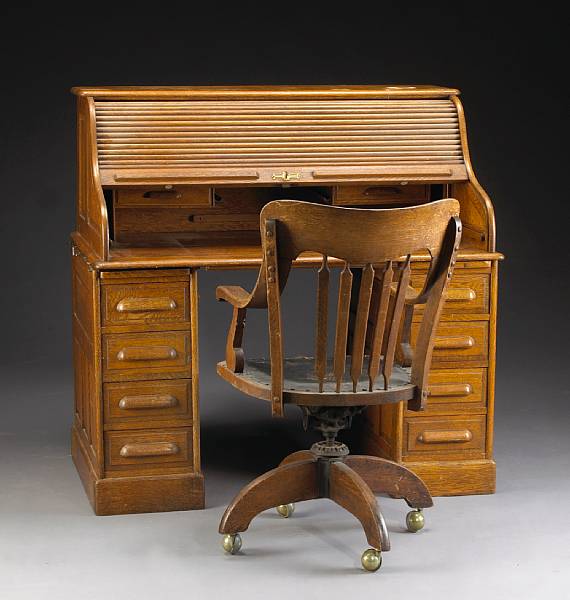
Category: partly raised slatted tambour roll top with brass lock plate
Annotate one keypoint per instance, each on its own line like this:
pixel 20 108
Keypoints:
pixel 274 135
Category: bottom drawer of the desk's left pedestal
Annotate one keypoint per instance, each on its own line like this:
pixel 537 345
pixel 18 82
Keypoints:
pixel 146 449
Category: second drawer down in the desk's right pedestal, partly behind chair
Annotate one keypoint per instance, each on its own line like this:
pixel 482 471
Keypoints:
pixel 459 342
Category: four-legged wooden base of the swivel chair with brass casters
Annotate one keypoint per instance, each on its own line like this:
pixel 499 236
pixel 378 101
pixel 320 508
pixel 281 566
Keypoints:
pixel 349 481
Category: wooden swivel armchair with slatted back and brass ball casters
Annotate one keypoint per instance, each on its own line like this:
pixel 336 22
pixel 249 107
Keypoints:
pixel 372 360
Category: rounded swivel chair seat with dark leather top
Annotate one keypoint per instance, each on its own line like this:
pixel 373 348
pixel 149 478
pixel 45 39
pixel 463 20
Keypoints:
pixel 301 386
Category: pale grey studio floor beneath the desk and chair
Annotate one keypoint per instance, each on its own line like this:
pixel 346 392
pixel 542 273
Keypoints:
pixel 513 544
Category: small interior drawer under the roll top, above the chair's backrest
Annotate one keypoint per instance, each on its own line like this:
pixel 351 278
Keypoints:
pixel 364 195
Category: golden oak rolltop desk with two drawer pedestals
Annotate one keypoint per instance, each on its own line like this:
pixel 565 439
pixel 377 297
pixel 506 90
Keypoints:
pixel 171 180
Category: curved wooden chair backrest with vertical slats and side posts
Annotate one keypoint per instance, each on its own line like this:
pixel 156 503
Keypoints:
pixel 377 245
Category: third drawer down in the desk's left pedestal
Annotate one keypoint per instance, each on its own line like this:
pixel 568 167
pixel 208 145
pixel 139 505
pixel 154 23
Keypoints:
pixel 147 400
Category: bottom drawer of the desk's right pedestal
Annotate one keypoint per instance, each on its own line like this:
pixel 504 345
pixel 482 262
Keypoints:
pixel 444 437
